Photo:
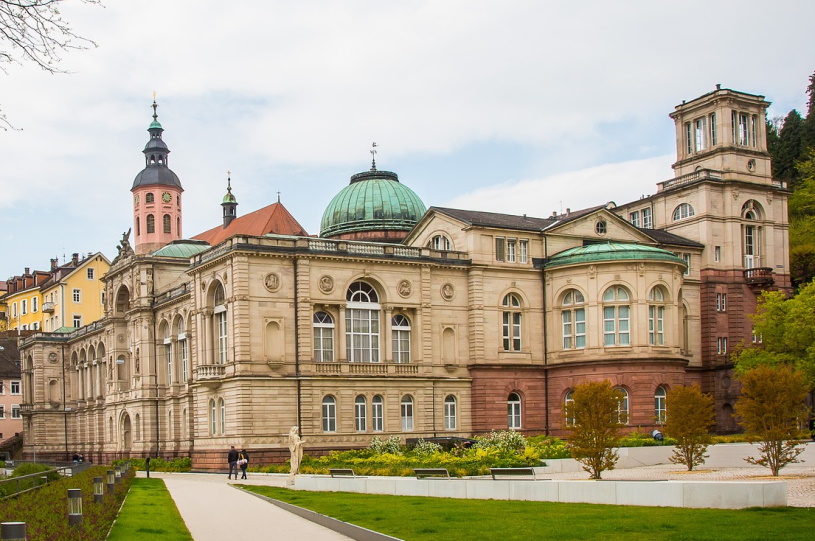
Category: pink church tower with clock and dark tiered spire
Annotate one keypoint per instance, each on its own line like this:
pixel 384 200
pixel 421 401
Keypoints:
pixel 156 195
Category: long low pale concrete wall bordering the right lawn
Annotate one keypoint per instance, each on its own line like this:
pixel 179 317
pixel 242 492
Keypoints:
pixel 698 494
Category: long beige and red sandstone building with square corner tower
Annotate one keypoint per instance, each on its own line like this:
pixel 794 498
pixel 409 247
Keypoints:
pixel 452 323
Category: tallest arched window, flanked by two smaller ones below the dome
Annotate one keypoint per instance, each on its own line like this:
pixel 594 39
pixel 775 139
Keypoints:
pixel 362 323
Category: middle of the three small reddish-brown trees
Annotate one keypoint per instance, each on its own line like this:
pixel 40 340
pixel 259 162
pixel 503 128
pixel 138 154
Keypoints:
pixel 689 422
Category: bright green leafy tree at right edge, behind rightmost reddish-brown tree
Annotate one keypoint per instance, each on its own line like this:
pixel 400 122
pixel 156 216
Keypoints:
pixel 785 333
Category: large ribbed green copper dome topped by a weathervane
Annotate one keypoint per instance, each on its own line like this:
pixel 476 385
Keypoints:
pixel 373 201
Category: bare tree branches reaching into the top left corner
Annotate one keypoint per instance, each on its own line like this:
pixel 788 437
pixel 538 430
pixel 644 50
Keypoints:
pixel 33 31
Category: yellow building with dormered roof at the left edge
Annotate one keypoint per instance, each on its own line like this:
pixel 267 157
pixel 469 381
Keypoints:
pixel 69 295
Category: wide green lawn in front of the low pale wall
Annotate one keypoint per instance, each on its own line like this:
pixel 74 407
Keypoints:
pixel 430 519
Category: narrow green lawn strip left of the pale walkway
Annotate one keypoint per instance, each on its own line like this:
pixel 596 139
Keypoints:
pixel 149 513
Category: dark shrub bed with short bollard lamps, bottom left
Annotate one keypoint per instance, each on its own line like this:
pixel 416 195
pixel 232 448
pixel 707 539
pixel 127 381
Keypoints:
pixel 45 511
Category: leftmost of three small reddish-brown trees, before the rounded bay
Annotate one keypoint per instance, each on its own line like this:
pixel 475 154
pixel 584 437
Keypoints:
pixel 596 429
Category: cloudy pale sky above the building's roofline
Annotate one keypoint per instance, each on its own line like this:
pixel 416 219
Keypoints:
pixel 522 107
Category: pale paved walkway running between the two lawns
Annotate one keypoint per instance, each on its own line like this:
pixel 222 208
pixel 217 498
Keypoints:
pixel 214 510
